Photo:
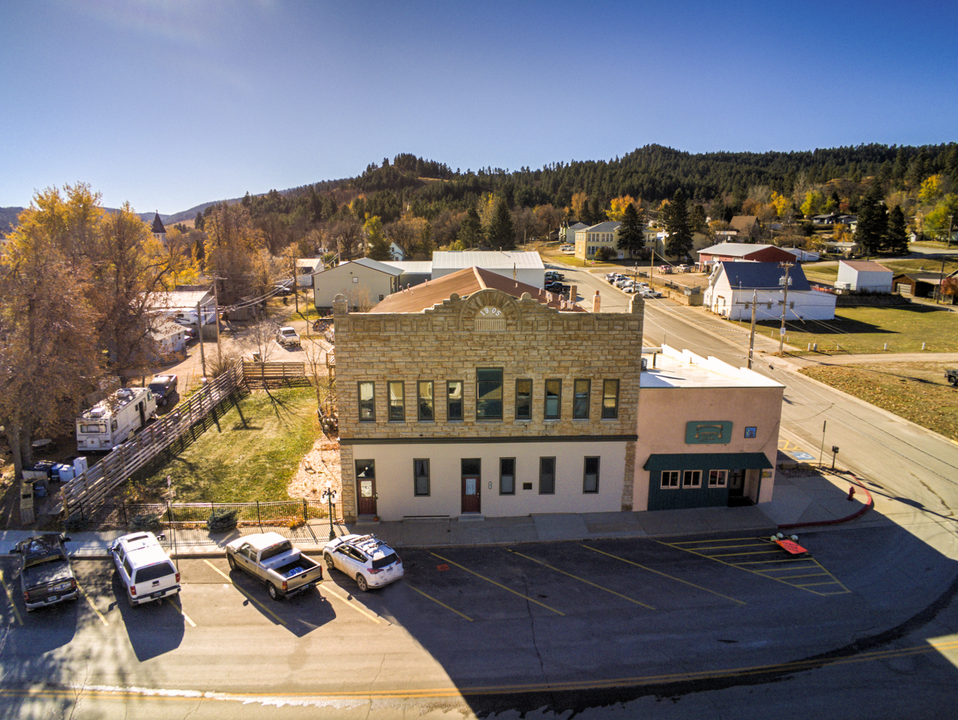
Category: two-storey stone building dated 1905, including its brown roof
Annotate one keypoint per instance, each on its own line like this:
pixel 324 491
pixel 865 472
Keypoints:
pixel 478 395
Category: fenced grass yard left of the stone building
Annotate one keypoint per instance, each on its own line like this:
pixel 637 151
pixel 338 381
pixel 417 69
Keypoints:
pixel 252 456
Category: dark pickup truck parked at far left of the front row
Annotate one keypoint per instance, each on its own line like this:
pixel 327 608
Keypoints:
pixel 46 577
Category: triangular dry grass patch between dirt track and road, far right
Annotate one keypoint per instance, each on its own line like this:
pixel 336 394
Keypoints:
pixel 914 391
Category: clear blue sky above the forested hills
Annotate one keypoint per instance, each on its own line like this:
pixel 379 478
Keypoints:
pixel 170 104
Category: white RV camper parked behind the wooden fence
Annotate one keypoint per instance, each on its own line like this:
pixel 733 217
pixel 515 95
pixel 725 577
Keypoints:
pixel 115 420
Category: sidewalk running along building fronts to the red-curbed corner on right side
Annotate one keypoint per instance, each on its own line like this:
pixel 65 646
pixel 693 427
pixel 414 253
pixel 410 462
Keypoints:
pixel 814 499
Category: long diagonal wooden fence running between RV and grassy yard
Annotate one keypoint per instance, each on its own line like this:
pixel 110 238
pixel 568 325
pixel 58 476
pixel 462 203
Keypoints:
pixel 93 487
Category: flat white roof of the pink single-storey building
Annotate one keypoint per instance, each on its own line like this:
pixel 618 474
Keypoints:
pixel 684 369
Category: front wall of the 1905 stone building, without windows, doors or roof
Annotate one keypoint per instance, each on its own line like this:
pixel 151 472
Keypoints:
pixel 449 342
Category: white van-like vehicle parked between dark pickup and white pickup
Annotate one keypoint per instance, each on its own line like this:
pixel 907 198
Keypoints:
pixel 144 568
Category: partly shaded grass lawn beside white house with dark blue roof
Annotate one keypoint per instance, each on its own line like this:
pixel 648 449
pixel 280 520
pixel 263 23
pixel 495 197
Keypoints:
pixel 861 330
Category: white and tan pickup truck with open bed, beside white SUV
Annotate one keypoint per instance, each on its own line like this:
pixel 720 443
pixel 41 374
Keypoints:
pixel 272 559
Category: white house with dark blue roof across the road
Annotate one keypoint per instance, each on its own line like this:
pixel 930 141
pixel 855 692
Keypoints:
pixel 733 284
